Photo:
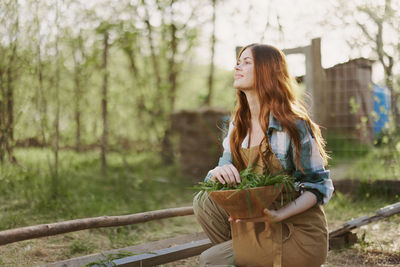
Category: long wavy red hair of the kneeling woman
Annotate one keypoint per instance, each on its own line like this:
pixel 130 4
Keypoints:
pixel 274 88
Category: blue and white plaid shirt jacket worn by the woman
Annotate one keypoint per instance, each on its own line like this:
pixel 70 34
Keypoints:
pixel 314 179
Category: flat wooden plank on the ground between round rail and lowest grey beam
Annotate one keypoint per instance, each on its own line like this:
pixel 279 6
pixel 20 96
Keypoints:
pixel 138 249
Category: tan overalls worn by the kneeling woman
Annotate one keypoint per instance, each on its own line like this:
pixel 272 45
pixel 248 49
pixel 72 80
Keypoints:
pixel 299 241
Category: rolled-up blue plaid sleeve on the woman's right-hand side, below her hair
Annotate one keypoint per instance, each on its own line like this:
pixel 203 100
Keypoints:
pixel 315 178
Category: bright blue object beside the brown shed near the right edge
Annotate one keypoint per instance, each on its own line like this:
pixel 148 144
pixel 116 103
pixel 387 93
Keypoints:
pixel 381 108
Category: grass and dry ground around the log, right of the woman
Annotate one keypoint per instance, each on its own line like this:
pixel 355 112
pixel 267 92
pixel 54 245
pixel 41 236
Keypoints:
pixel 378 243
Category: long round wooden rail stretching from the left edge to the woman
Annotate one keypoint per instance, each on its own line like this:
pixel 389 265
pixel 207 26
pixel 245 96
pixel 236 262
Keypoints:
pixel 30 232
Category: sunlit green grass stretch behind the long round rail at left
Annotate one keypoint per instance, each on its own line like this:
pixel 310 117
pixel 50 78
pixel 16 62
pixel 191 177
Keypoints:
pixel 135 183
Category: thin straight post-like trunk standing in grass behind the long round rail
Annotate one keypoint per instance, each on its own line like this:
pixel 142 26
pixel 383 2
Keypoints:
pixel 104 105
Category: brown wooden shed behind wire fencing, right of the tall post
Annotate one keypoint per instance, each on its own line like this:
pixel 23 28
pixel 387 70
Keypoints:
pixel 349 99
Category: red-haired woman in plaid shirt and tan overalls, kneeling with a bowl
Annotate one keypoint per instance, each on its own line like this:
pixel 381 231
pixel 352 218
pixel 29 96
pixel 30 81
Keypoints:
pixel 270 129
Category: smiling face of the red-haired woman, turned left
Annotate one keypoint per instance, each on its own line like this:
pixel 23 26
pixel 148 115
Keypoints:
pixel 244 77
